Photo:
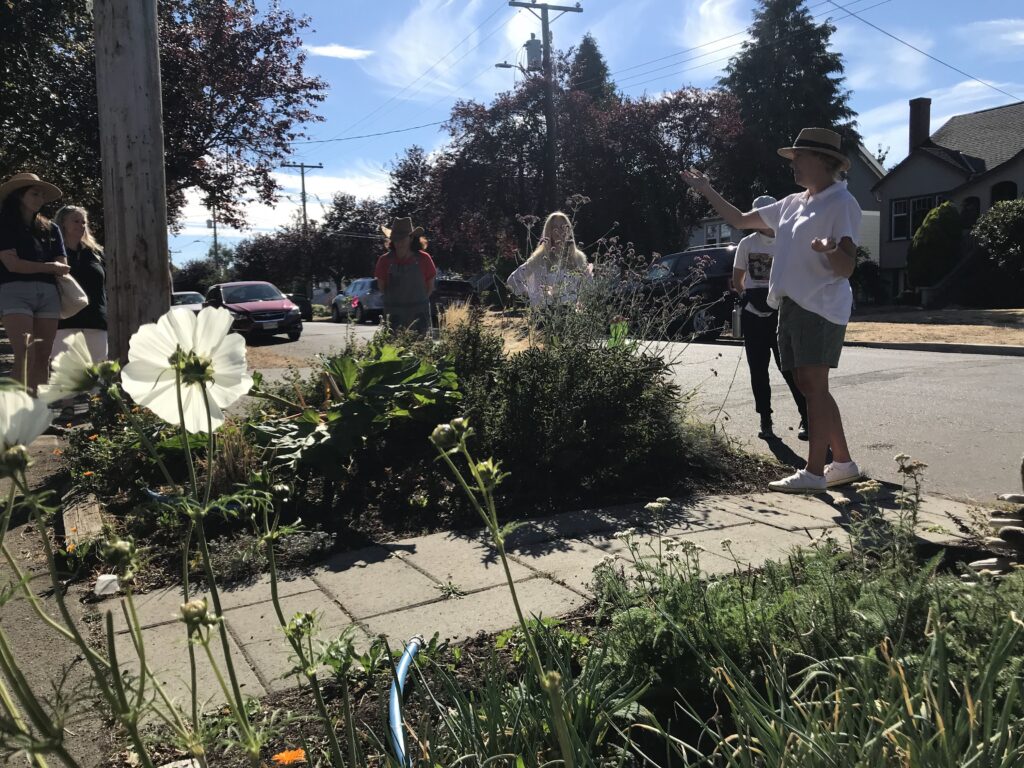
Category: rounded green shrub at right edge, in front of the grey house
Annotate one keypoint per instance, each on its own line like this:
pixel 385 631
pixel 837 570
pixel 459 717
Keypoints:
pixel 1000 232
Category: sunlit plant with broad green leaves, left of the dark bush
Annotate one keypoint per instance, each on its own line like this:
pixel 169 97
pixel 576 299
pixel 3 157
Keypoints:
pixel 365 396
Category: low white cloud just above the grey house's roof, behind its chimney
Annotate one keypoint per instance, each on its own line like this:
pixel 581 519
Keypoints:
pixel 887 124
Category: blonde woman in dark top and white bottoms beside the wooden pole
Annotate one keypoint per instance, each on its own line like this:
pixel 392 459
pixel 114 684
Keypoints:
pixel 86 258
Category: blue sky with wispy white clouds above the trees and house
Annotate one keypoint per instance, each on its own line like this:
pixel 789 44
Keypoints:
pixel 387 67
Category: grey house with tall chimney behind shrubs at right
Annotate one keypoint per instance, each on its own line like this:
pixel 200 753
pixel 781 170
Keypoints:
pixel 974 161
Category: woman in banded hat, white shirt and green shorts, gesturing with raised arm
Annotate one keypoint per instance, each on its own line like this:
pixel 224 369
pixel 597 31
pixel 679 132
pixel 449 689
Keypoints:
pixel 817 235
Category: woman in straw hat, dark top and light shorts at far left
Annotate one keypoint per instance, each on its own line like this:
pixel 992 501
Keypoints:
pixel 32 255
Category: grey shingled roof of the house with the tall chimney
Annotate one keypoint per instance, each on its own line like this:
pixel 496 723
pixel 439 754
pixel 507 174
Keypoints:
pixel 976 143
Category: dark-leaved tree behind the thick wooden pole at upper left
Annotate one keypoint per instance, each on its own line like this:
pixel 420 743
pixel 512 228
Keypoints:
pixel 235 96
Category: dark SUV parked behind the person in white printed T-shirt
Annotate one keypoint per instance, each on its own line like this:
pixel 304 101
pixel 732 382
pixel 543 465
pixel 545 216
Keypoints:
pixel 698 280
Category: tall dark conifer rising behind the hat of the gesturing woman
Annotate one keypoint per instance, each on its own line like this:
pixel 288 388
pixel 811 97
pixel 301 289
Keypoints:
pixel 786 79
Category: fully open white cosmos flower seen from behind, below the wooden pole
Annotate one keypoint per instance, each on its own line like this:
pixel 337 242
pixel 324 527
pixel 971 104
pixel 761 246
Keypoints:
pixel 209 360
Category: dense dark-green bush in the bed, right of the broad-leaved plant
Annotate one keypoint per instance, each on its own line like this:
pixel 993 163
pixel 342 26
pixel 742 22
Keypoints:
pixel 572 420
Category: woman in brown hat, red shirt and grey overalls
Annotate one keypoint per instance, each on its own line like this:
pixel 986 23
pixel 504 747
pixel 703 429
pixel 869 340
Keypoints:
pixel 406 277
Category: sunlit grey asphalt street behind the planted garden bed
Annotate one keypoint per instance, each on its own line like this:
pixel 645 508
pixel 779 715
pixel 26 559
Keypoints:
pixel 961 414
